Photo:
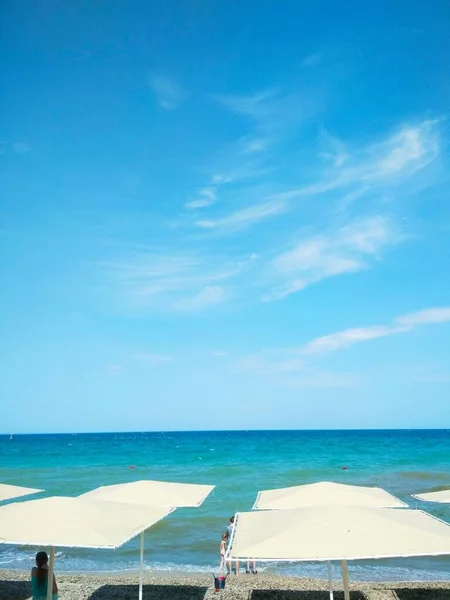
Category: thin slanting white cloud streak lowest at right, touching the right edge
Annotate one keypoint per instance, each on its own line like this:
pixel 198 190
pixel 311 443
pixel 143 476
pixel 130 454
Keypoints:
pixel 402 324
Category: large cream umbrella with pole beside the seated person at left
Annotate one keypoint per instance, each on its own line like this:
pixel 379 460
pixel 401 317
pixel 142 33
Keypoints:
pixel 74 523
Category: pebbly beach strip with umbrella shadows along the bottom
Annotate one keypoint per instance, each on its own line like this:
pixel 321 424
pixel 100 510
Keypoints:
pixel 14 585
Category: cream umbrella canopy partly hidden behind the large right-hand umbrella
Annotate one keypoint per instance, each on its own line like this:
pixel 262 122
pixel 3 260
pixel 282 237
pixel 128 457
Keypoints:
pixel 326 493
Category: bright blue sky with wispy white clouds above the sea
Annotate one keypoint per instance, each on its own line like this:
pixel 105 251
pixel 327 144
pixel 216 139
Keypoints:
pixel 224 215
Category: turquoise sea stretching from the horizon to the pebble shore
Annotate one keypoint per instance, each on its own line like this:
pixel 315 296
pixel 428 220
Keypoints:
pixel 239 464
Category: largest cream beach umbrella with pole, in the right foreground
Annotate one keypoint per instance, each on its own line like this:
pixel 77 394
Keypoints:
pixel 342 533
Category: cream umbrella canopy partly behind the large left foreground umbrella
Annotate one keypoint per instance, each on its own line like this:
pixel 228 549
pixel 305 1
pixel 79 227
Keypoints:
pixel 152 493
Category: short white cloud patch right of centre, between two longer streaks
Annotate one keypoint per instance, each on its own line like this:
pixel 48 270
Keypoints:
pixel 349 249
